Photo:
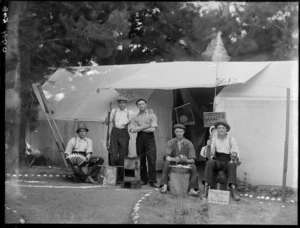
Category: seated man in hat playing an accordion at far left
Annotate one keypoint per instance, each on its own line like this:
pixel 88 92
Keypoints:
pixel 84 146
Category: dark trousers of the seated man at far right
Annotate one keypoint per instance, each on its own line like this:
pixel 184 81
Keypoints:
pixel 221 162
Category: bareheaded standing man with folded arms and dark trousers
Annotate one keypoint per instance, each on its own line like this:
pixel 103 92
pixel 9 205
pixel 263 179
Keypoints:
pixel 145 124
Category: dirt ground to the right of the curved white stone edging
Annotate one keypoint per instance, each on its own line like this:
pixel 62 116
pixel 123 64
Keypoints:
pixel 169 209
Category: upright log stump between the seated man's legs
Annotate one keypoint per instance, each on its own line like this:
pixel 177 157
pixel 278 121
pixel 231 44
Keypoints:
pixel 179 180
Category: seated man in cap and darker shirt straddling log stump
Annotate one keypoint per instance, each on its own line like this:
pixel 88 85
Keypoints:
pixel 180 150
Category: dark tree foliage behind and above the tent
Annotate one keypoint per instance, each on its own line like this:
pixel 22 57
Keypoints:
pixel 57 34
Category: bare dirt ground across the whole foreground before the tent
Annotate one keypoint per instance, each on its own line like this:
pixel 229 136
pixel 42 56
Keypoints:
pixel 52 199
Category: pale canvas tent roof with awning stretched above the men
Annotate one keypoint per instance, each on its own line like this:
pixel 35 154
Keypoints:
pixel 73 91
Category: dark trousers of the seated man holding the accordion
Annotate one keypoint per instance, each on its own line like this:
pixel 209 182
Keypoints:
pixel 93 168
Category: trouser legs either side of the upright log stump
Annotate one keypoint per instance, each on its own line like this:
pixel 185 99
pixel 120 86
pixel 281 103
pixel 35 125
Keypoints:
pixel 193 175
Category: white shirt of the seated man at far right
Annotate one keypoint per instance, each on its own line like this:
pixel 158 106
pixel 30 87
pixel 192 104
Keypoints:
pixel 227 146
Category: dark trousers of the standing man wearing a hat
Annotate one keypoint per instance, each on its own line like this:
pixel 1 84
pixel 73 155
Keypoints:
pixel 119 142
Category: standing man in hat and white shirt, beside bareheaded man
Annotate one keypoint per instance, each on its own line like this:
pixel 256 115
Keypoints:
pixel 119 136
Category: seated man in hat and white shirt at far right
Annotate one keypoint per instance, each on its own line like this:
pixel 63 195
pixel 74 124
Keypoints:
pixel 224 153
